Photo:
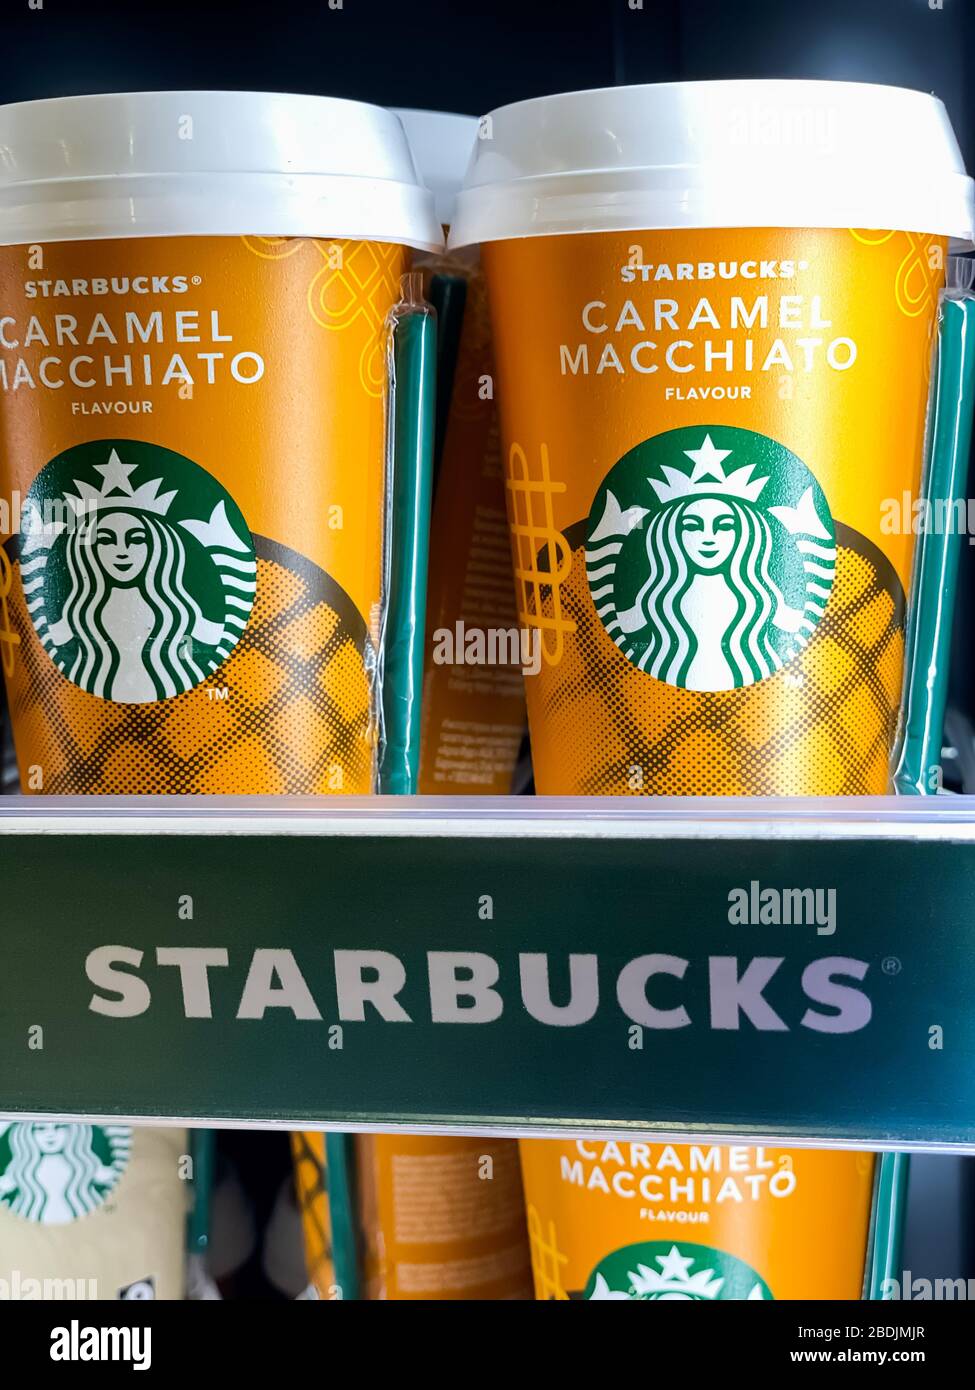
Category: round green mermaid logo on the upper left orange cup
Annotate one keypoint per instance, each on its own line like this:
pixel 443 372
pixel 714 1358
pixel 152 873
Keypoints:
pixel 138 569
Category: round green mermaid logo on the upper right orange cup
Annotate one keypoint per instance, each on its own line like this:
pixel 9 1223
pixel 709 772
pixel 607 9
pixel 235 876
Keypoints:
pixel 710 557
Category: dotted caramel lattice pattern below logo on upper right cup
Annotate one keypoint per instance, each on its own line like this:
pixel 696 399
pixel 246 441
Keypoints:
pixel 825 725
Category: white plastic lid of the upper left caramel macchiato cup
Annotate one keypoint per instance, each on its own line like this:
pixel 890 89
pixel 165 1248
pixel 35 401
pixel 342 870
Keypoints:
pixel 209 165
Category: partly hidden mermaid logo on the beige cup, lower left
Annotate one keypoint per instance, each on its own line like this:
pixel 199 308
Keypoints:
pixel 54 1174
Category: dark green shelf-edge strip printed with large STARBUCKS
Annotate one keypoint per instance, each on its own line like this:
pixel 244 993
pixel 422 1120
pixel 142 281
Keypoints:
pixel 458 974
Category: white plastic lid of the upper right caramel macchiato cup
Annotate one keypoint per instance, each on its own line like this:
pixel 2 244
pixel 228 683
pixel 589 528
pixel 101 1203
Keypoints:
pixel 717 155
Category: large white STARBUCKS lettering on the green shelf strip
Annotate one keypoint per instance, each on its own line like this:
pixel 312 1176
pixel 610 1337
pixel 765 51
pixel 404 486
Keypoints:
pixel 656 992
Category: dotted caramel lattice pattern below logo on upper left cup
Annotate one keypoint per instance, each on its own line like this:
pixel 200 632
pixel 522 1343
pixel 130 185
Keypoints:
pixel 291 710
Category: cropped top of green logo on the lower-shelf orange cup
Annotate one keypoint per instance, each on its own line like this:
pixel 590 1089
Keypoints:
pixel 664 1273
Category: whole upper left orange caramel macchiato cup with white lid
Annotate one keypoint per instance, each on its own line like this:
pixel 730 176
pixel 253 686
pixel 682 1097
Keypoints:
pixel 195 293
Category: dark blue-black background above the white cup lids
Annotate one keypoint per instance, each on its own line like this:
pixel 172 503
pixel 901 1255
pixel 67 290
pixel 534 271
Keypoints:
pixel 478 55
